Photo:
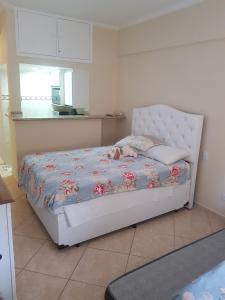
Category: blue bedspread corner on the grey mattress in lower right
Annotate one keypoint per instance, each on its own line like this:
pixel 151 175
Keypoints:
pixel 209 286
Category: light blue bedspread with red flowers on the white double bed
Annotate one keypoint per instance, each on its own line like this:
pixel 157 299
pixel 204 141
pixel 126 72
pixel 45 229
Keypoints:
pixel 56 179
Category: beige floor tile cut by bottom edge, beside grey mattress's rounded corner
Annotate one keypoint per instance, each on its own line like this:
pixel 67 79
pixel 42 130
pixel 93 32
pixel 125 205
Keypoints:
pixel 82 291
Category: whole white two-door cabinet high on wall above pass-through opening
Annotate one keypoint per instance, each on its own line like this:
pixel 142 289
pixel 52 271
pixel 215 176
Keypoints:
pixel 43 35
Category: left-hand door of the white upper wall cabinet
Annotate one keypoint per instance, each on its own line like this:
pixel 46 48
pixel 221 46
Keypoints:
pixel 36 33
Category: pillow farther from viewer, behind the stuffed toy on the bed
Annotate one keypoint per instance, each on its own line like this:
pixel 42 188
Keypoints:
pixel 139 142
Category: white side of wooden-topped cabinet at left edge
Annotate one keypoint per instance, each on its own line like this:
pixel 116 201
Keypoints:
pixel 7 271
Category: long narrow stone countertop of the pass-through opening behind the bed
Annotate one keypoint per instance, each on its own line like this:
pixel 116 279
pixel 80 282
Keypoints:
pixel 20 117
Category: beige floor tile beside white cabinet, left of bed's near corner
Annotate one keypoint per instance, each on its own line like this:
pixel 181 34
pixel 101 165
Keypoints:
pixel 24 249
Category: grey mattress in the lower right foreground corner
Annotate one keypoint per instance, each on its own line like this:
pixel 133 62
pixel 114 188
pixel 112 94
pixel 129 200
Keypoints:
pixel 164 277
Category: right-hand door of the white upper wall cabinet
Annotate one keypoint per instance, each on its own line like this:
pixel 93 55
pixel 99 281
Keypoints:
pixel 74 40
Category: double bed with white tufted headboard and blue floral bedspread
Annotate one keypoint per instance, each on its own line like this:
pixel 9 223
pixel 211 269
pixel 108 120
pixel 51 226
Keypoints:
pixel 78 221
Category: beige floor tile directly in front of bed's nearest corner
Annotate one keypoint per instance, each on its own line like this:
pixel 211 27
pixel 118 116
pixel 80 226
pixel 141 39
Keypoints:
pixel 52 261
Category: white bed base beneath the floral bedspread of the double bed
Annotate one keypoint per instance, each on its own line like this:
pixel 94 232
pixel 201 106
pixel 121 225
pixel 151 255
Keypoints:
pixel 117 212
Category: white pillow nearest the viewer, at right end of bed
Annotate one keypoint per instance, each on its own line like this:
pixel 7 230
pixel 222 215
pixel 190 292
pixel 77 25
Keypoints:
pixel 166 154
